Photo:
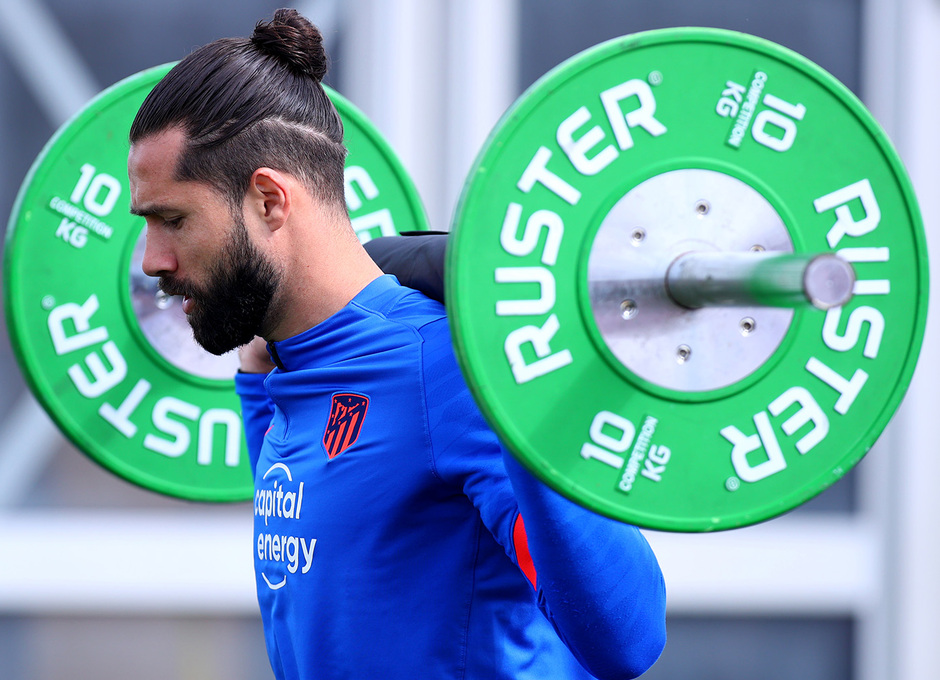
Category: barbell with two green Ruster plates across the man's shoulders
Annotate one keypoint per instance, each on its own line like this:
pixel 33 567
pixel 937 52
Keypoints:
pixel 686 281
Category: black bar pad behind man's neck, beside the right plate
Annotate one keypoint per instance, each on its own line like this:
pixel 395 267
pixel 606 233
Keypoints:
pixel 416 258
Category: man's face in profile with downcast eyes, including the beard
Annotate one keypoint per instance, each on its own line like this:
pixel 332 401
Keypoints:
pixel 199 249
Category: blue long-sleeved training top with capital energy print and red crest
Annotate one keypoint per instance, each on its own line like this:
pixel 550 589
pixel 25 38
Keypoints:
pixel 388 538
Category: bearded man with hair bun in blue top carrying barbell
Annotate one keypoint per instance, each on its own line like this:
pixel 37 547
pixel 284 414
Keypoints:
pixel 389 534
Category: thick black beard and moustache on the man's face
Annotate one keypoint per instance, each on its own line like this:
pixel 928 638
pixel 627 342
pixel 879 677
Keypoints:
pixel 232 308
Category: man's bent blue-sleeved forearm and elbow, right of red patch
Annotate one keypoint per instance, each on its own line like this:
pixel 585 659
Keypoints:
pixel 597 580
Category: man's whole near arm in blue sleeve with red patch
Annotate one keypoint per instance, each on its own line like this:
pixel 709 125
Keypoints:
pixel 596 580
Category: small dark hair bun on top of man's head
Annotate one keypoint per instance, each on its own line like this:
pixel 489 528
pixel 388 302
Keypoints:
pixel 294 40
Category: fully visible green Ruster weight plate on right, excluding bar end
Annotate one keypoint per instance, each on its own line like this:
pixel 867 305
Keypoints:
pixel 613 164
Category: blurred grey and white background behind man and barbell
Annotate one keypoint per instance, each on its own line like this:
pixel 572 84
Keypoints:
pixel 99 579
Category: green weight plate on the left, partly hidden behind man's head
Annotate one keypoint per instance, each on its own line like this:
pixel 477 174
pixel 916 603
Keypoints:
pixel 109 357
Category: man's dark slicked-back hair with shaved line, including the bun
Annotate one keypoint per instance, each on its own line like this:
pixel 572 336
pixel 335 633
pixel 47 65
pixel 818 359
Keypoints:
pixel 247 103
